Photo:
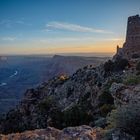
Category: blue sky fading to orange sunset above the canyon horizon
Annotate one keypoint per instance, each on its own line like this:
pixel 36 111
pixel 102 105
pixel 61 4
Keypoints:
pixel 64 26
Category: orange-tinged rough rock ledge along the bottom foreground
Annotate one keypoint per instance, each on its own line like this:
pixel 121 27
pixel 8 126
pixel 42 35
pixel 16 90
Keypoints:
pixel 70 133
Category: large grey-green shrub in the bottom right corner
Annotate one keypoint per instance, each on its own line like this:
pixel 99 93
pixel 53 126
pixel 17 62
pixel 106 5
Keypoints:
pixel 127 119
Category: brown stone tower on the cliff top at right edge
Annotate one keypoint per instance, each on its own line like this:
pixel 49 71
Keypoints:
pixel 131 47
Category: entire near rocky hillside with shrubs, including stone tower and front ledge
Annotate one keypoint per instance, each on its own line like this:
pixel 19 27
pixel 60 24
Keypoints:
pixel 94 103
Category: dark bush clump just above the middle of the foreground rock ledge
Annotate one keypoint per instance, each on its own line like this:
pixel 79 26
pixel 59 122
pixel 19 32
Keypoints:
pixel 71 117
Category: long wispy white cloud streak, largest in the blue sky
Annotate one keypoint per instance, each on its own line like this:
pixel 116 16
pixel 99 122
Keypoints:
pixel 73 27
